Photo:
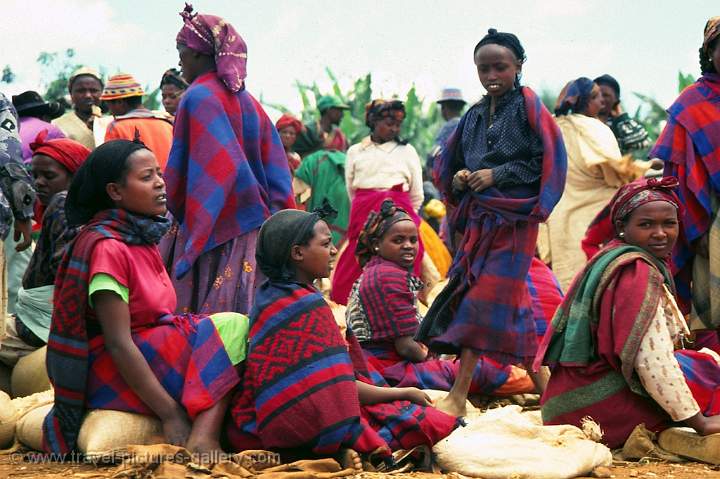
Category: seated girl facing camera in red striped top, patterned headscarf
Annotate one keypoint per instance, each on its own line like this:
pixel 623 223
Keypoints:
pixel 382 313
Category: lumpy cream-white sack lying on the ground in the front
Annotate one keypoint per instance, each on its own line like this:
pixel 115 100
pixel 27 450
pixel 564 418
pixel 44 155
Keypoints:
pixel 504 442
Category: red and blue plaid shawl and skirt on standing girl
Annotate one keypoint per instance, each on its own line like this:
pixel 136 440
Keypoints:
pixel 486 305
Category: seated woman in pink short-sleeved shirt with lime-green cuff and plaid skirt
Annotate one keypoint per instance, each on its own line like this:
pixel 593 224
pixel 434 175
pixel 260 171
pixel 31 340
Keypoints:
pixel 114 340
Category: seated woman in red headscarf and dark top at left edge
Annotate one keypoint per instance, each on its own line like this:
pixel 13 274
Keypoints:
pixel 54 162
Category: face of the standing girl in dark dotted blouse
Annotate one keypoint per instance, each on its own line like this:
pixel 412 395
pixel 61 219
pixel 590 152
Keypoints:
pixel 497 69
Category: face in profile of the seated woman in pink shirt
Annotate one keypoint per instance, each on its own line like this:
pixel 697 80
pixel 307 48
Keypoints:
pixel 143 191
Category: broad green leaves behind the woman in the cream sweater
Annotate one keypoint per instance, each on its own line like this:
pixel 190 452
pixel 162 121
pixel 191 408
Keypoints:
pixel 419 128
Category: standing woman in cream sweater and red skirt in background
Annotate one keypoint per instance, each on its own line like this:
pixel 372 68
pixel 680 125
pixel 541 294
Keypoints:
pixel 379 167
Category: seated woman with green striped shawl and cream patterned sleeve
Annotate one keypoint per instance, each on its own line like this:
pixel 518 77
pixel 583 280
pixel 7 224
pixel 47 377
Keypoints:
pixel 611 344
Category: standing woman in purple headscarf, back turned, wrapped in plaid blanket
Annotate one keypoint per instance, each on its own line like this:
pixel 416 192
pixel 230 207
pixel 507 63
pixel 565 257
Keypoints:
pixel 226 174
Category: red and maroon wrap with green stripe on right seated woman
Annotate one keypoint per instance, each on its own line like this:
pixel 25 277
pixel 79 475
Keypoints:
pixel 612 394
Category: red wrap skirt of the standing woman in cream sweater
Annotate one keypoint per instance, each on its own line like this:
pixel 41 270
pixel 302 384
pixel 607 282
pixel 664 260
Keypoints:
pixel 348 269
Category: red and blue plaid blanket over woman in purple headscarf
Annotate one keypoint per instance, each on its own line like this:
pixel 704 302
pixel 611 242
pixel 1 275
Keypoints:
pixel 227 171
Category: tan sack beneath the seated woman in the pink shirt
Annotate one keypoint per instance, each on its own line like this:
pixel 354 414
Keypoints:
pixel 104 430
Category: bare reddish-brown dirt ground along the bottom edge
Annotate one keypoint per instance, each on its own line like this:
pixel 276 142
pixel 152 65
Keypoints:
pixel 14 466
